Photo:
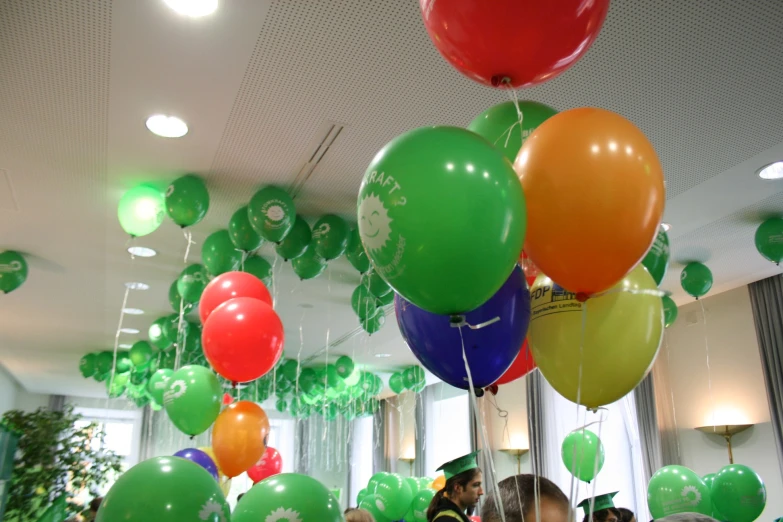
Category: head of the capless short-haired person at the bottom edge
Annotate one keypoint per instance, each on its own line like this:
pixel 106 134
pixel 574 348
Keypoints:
pixel 518 497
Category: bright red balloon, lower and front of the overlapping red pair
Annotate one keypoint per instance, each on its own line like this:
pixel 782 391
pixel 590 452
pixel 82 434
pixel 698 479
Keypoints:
pixel 243 339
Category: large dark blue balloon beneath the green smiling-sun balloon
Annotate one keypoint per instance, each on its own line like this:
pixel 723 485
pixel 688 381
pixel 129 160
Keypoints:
pixel 490 350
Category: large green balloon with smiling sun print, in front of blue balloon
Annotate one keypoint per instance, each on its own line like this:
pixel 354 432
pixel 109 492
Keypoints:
pixel 442 216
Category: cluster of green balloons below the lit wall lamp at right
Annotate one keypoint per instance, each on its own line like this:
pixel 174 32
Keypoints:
pixel 735 493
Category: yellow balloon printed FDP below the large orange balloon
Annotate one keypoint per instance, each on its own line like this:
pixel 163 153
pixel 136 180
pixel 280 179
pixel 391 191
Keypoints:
pixel 622 333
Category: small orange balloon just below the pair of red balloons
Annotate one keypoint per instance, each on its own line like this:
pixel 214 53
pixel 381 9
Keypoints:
pixel 238 437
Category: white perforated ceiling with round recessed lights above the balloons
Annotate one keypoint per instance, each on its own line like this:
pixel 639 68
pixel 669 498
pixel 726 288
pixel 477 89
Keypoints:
pixel 261 82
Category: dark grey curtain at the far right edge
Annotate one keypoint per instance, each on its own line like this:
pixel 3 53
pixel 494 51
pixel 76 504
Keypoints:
pixel 766 299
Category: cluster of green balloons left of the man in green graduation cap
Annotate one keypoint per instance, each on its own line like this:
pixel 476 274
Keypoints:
pixel 389 496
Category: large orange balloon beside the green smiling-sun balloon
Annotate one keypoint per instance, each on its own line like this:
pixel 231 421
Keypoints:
pixel 595 196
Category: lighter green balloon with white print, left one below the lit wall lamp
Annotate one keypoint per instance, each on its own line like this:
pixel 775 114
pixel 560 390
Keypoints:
pixel 677 489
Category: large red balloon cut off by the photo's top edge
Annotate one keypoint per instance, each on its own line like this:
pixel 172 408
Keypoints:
pixel 513 43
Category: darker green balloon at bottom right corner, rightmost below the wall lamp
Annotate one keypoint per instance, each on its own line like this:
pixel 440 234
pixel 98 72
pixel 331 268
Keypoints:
pixel 738 493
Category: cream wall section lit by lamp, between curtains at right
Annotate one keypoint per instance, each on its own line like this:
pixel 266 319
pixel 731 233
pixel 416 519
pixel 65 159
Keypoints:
pixel 730 391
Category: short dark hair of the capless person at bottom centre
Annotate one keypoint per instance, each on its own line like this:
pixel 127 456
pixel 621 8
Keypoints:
pixel 518 494
